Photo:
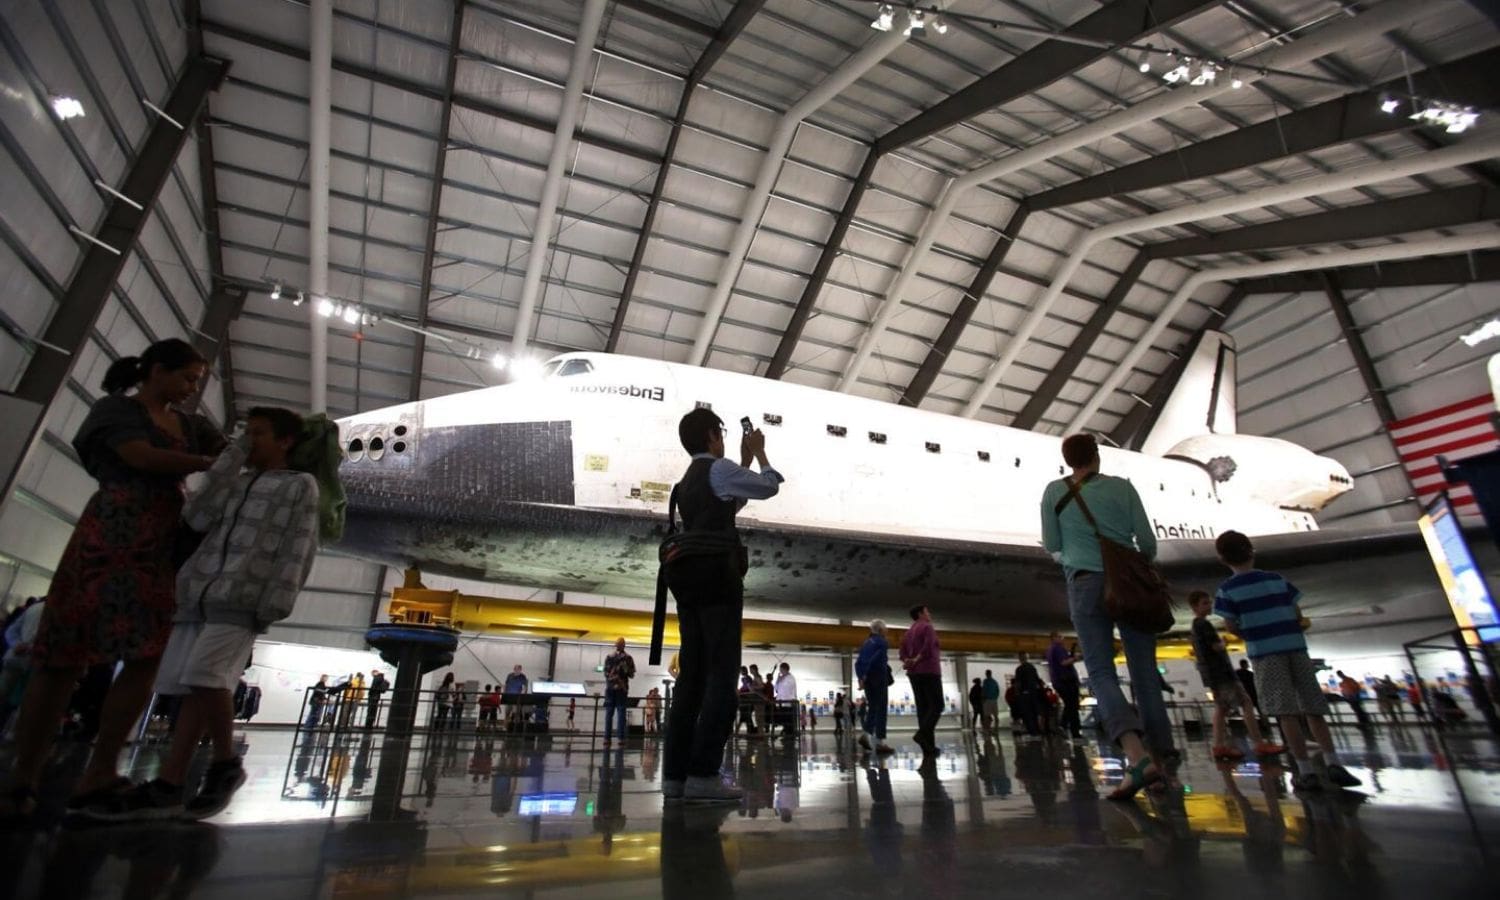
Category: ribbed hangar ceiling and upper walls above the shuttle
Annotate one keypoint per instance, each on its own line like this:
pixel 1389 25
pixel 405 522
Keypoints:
pixel 910 233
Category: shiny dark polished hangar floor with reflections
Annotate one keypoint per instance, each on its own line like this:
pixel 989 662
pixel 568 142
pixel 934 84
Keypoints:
pixel 562 817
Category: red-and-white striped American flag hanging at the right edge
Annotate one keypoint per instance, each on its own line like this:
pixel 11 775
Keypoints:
pixel 1456 431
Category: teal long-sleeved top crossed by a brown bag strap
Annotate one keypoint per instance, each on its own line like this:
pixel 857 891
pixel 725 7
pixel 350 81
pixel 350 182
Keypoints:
pixel 1118 511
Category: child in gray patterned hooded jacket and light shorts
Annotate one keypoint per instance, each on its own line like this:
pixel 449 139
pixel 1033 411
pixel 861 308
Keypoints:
pixel 260 538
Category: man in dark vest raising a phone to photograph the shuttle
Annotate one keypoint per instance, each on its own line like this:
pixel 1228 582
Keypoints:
pixel 709 586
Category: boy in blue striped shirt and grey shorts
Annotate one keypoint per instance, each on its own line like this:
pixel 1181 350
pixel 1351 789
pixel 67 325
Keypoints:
pixel 1262 608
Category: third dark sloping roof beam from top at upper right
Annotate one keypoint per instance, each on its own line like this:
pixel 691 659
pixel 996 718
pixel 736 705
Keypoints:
pixel 1418 212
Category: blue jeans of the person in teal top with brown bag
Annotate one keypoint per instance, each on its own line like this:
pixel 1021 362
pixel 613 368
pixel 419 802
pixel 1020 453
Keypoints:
pixel 1097 640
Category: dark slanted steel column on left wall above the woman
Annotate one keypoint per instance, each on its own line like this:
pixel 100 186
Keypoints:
pixel 85 299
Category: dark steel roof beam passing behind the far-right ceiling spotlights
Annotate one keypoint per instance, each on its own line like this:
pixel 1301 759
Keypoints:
pixel 1336 122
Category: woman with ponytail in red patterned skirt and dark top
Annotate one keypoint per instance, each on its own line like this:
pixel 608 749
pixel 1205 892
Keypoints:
pixel 115 590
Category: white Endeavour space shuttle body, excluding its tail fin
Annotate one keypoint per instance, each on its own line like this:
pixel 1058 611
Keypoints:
pixel 497 484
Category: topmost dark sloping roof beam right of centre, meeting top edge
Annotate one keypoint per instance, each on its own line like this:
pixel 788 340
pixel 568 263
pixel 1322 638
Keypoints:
pixel 1123 22
